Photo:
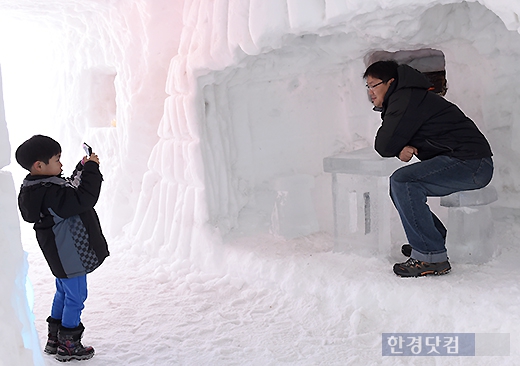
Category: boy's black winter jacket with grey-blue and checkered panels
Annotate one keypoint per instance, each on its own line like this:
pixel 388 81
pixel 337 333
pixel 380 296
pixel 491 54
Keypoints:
pixel 66 224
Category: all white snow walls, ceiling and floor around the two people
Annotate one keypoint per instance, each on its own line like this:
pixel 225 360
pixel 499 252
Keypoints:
pixel 198 110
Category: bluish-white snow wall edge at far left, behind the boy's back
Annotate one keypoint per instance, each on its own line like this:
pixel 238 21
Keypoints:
pixel 19 341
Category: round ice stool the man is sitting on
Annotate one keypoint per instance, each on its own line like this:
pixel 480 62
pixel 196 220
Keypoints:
pixel 470 225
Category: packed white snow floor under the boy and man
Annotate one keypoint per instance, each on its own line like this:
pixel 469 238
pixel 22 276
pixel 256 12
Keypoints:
pixel 283 303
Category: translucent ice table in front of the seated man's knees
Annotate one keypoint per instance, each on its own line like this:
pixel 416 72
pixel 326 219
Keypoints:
pixel 365 221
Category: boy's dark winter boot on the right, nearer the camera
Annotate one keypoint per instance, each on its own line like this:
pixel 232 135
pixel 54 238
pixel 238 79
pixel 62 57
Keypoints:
pixel 70 347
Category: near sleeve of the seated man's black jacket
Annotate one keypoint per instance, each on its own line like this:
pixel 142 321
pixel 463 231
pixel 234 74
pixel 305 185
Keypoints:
pixel 400 123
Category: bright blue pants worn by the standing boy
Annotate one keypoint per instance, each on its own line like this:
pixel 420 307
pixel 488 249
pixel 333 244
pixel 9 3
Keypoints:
pixel 68 301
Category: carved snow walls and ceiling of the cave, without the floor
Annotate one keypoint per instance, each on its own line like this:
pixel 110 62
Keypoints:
pixel 203 113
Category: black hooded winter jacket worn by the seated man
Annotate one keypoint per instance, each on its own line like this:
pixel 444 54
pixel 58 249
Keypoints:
pixel 414 116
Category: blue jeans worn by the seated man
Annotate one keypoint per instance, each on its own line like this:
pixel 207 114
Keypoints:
pixel 440 176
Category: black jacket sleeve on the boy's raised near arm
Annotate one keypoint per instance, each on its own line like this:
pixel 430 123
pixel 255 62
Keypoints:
pixel 67 201
